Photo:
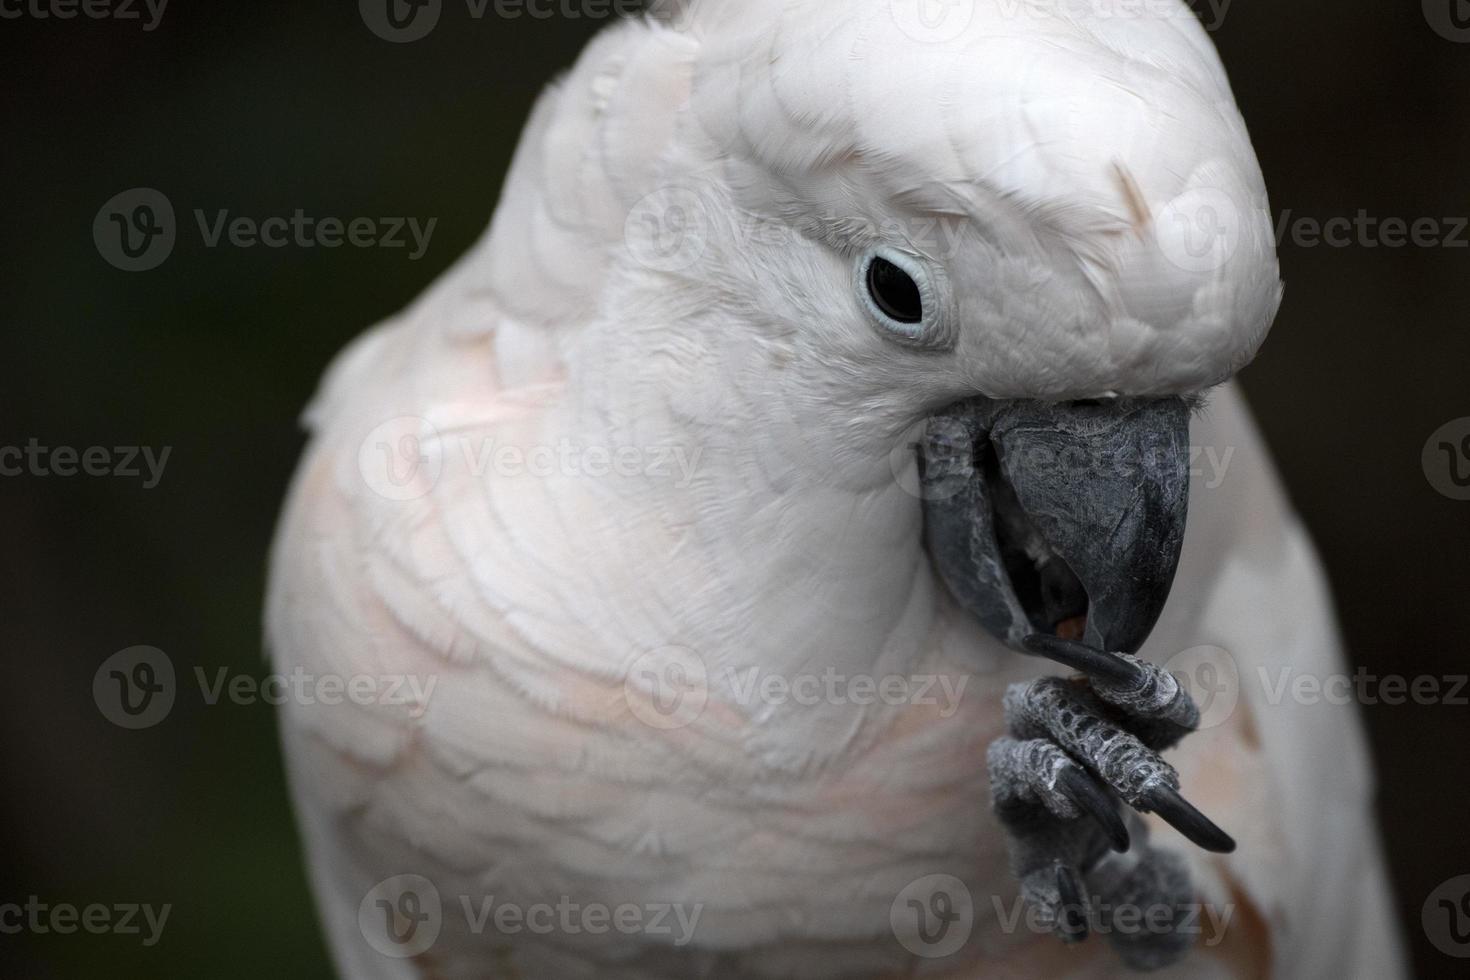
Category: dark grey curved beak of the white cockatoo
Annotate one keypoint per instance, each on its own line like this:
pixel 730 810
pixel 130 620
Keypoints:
pixel 1059 519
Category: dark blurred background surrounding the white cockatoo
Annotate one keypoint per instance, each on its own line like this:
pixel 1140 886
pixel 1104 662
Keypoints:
pixel 262 109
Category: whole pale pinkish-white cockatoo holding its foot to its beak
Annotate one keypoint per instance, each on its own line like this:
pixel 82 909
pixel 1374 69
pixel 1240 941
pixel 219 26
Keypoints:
pixel 859 343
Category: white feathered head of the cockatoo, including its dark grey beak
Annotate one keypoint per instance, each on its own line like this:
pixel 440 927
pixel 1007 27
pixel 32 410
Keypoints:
pixel 1028 231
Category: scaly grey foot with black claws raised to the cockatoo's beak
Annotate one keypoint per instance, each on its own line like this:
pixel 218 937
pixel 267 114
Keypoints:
pixel 1078 747
